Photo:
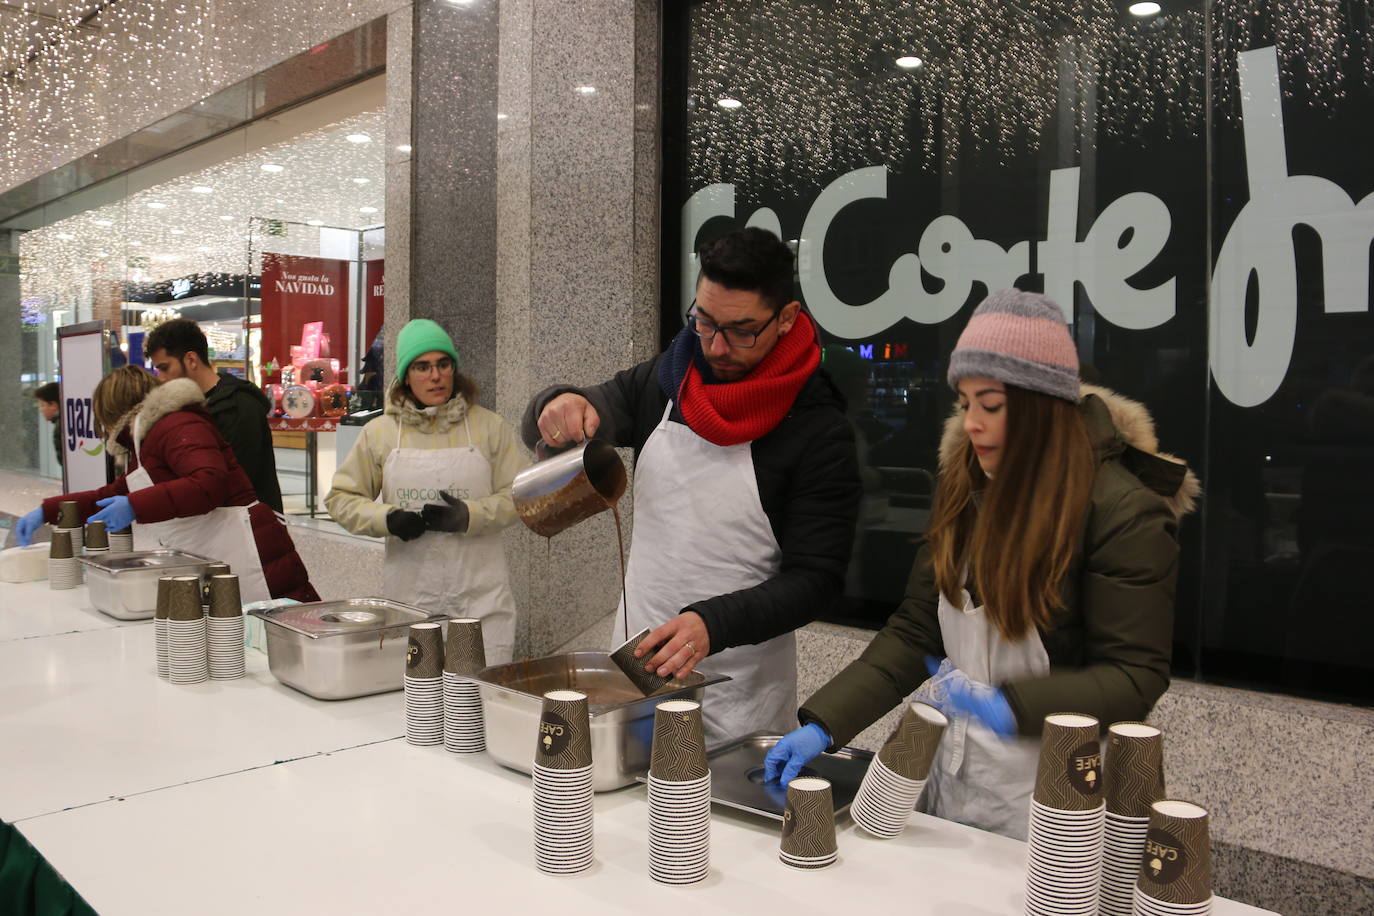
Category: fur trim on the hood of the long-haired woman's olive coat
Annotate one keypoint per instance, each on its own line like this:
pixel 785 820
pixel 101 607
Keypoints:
pixel 1120 429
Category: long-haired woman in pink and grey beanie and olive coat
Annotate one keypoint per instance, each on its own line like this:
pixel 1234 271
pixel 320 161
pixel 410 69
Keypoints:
pixel 1045 583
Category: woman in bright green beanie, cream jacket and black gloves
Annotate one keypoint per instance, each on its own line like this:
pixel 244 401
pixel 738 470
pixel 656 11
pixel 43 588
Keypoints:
pixel 443 468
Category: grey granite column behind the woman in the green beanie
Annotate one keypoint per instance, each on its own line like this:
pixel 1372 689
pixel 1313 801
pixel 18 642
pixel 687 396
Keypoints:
pixel 532 231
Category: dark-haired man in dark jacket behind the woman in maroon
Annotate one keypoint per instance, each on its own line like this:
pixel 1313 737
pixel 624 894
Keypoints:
pixel 178 350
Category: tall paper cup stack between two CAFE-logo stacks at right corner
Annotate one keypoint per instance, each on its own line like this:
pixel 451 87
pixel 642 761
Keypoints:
pixel 1134 778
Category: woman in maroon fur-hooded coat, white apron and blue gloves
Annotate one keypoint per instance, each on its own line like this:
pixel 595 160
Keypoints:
pixel 185 488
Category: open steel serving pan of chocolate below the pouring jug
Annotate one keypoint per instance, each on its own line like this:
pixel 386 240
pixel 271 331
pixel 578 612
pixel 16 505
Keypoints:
pixel 622 718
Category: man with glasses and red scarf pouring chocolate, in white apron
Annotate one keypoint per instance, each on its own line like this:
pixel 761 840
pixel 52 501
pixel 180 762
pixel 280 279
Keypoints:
pixel 747 484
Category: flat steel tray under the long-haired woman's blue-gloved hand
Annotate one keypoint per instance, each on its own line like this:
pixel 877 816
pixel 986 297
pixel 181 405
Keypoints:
pixel 737 777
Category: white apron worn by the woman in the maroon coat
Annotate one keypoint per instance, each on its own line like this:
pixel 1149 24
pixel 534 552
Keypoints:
pixel 223 535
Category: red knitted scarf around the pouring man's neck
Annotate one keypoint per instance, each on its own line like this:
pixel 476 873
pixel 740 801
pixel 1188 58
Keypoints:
pixel 743 411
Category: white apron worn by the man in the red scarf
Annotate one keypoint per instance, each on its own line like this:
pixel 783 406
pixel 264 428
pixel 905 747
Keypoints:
pixel 700 532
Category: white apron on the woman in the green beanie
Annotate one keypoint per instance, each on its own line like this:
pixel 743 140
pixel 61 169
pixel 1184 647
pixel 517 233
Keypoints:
pixel 446 572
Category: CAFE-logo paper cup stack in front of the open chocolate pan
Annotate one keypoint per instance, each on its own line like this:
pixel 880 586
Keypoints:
pixel 563 781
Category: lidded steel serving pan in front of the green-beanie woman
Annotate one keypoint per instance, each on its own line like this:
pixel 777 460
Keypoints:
pixel 339 650
